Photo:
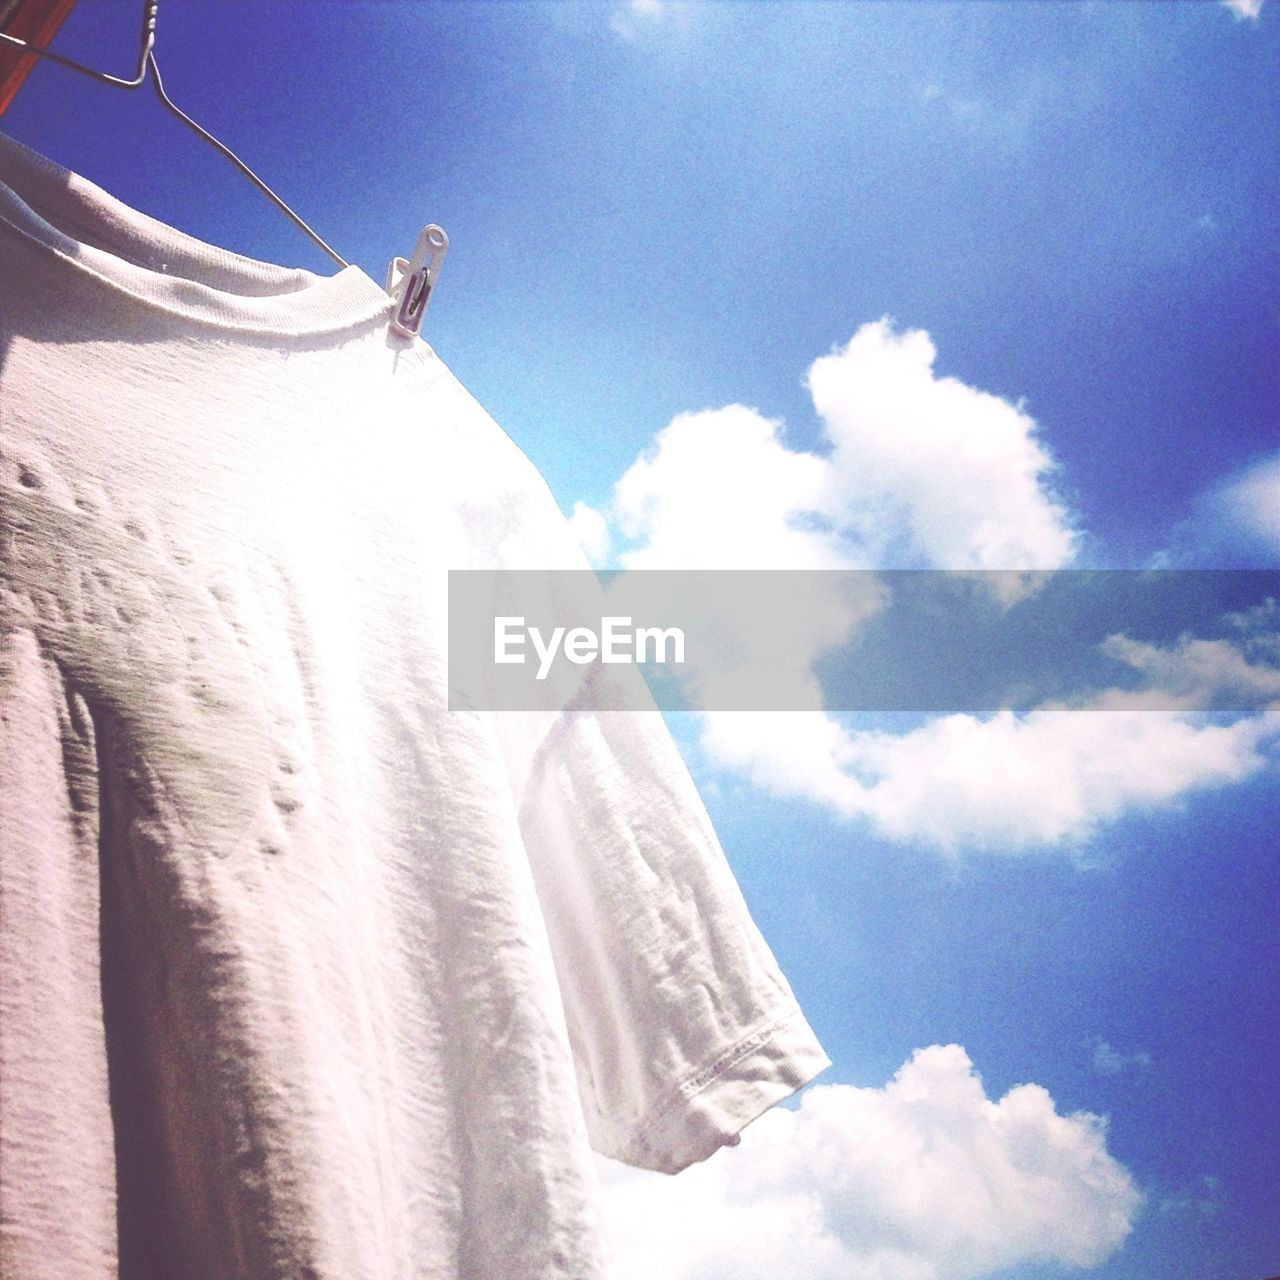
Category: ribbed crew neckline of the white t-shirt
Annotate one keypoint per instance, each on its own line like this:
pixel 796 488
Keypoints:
pixel 164 268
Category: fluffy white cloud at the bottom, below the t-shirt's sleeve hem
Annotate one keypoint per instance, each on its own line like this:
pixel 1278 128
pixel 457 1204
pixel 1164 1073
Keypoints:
pixel 924 1180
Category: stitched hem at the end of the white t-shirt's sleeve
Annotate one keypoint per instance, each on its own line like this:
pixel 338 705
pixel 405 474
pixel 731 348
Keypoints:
pixel 712 1108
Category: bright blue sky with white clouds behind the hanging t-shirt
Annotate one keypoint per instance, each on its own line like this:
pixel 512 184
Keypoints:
pixel 1054 225
